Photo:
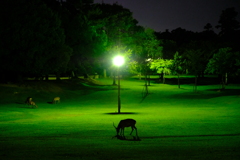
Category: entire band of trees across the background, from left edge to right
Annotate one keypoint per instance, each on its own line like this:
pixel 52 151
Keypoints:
pixel 78 37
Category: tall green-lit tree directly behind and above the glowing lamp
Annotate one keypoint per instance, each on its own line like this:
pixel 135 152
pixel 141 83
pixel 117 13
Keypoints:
pixel 118 26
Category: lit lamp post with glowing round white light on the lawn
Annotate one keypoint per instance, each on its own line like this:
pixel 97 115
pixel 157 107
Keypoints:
pixel 118 61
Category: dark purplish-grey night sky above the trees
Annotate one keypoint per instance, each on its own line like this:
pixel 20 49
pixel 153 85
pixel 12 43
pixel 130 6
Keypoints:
pixel 191 15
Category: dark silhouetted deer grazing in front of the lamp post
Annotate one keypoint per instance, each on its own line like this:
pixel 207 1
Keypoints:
pixel 125 123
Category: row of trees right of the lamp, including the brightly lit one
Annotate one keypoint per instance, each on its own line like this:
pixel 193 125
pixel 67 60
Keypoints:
pixel 205 52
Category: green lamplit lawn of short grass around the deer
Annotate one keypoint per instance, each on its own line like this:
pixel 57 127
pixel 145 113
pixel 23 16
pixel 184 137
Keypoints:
pixel 172 123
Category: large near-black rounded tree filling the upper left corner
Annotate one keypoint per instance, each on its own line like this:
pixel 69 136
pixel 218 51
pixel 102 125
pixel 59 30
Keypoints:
pixel 34 40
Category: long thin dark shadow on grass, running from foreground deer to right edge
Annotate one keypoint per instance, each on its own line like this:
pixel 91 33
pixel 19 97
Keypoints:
pixel 189 136
